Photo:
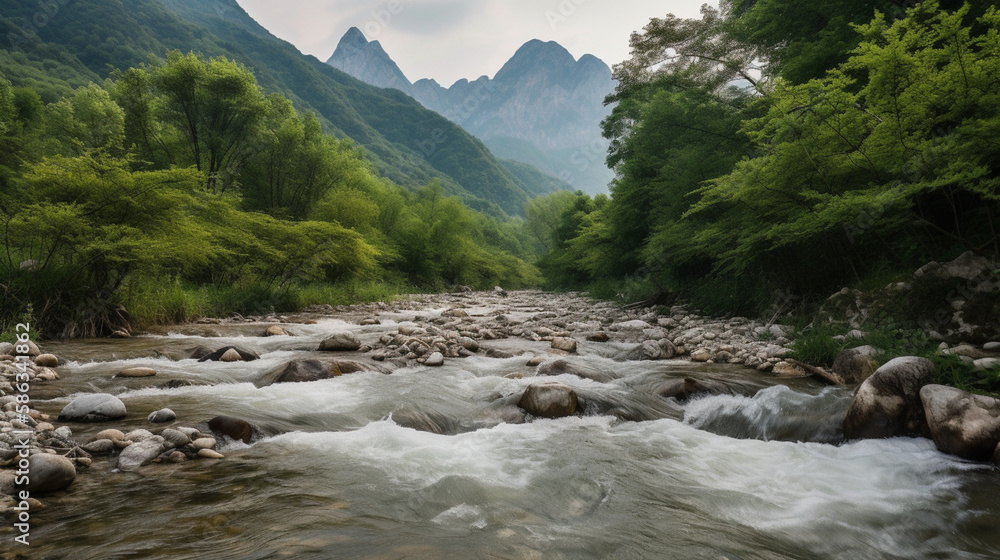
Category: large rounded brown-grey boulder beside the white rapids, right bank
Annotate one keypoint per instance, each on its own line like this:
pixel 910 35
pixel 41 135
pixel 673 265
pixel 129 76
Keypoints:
pixel 888 404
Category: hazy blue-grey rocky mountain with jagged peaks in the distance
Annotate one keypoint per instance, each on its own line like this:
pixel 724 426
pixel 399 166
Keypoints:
pixel 543 107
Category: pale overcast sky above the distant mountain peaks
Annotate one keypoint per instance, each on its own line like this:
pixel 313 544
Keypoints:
pixel 452 39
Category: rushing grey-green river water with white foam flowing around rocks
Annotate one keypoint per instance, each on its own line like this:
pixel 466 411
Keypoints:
pixel 340 475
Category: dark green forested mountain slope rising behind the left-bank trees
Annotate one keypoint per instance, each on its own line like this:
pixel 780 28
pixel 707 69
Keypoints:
pixel 84 40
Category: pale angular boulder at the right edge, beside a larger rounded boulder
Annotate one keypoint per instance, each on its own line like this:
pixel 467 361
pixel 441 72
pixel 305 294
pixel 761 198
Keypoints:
pixel 962 423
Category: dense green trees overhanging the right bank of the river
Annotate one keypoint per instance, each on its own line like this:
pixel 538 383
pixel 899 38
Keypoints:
pixel 759 160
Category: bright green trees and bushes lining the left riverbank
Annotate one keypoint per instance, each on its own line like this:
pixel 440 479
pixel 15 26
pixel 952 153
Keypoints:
pixel 182 174
